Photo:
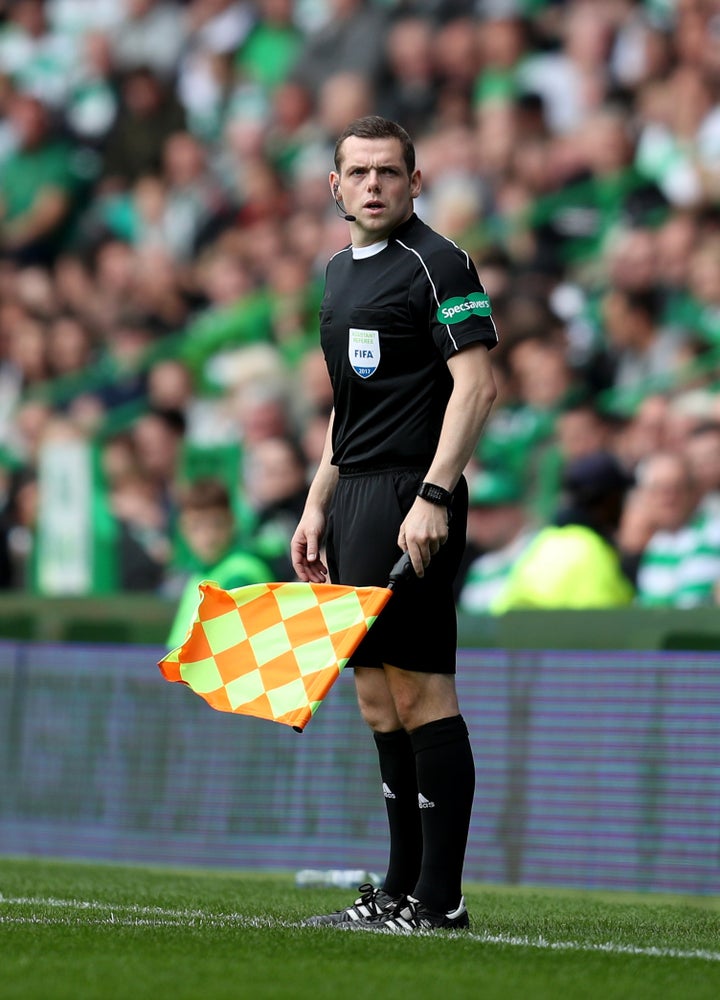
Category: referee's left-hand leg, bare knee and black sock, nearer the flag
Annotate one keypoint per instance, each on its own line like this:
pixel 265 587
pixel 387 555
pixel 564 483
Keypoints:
pixel 396 757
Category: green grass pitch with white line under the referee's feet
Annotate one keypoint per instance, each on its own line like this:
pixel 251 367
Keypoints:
pixel 85 931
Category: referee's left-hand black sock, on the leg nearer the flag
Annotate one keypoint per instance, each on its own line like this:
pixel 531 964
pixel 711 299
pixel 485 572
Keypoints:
pixel 397 770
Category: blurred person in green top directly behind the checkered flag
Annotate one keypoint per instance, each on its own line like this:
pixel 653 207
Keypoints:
pixel 208 528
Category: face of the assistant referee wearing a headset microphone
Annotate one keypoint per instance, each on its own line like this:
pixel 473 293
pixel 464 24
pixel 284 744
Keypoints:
pixel 374 186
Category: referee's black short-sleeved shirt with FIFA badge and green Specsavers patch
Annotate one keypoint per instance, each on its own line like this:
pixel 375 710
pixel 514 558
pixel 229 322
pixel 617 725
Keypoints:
pixel 391 317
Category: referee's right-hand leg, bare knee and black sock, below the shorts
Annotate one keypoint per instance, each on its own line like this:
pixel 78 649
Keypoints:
pixel 427 707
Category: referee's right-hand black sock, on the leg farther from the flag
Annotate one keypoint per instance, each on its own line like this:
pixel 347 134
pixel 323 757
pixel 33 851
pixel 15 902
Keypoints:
pixel 446 784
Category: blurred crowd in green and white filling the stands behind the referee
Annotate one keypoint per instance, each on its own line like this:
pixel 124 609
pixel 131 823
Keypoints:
pixel 165 221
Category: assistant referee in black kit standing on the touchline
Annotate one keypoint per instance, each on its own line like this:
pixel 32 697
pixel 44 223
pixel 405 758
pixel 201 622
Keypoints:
pixel 405 328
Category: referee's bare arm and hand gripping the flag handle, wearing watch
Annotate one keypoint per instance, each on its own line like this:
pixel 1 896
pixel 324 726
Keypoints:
pixel 425 528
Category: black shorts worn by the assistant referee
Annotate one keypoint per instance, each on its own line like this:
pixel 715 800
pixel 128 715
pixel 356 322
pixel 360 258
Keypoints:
pixel 417 629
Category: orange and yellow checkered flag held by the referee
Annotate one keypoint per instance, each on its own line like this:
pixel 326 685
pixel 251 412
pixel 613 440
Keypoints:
pixel 272 650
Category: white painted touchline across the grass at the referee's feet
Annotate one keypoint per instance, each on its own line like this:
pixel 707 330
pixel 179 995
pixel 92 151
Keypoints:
pixel 133 915
